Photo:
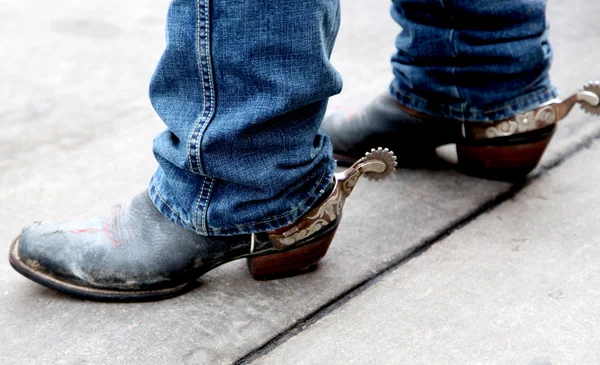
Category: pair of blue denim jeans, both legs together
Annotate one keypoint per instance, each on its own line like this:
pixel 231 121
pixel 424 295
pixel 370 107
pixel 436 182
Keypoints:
pixel 243 86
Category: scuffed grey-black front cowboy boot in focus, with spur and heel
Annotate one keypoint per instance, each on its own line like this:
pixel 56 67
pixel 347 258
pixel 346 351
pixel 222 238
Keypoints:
pixel 135 253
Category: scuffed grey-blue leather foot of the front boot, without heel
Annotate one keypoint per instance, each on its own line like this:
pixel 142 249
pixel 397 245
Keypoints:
pixel 133 253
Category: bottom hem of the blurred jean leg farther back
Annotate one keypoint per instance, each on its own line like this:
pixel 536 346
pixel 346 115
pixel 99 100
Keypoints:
pixel 465 113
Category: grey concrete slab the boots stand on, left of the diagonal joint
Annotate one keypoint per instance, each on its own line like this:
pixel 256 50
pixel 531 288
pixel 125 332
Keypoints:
pixel 75 136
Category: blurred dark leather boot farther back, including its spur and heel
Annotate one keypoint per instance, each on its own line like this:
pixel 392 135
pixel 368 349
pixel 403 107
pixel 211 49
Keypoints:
pixel 506 149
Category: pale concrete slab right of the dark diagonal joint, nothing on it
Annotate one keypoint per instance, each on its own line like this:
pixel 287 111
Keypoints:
pixel 519 285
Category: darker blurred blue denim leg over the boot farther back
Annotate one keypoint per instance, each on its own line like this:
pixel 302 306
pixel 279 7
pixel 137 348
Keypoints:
pixel 472 60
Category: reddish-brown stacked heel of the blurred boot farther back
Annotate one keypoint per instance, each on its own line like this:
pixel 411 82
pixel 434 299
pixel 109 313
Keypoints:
pixel 504 158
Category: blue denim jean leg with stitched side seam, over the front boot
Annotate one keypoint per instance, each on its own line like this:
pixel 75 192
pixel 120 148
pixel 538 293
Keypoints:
pixel 242 87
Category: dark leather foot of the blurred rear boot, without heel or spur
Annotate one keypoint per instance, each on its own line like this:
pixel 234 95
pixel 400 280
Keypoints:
pixel 385 122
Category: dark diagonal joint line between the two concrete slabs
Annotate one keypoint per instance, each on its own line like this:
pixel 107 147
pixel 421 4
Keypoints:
pixel 414 252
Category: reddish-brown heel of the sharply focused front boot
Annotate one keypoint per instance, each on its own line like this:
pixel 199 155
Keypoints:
pixel 289 263
